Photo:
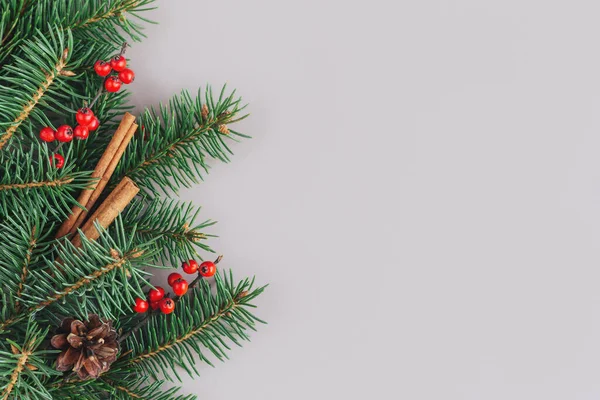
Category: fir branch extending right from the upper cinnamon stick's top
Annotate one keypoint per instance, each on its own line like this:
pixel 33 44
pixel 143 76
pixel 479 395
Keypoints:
pixel 174 144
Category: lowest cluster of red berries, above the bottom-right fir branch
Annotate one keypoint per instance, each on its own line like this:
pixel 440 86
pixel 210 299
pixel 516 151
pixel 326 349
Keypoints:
pixel 156 297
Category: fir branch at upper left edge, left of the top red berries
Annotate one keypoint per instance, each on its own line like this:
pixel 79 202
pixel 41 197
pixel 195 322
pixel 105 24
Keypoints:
pixel 50 81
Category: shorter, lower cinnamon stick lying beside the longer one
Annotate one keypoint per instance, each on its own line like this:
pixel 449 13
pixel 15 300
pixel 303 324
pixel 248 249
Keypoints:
pixel 110 208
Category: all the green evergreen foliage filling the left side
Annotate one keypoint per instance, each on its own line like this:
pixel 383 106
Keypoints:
pixel 47 52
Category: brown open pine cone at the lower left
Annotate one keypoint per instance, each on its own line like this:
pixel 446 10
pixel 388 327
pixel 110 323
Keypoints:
pixel 89 348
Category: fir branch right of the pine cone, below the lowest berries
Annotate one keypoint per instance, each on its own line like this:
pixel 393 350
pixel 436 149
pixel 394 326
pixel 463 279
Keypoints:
pixel 201 318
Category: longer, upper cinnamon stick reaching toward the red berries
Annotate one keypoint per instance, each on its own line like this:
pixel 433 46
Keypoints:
pixel 70 225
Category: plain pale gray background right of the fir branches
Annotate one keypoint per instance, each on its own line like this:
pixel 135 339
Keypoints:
pixel 422 192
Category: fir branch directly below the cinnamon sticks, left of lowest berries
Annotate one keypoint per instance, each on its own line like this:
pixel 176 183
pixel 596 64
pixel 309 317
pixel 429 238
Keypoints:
pixel 107 269
